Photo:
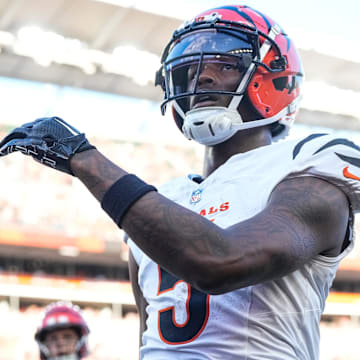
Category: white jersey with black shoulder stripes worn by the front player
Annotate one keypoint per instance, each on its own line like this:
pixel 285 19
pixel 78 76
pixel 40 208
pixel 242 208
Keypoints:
pixel 276 320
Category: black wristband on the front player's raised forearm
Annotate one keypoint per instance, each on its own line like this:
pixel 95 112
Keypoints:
pixel 122 195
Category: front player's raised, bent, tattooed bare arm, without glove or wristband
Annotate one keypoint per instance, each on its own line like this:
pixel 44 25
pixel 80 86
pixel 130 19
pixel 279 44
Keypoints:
pixel 304 217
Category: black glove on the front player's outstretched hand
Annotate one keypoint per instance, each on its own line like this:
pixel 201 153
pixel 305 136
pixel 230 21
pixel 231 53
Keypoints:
pixel 50 141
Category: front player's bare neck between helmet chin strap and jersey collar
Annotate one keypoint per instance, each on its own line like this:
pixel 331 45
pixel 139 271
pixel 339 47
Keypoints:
pixel 241 142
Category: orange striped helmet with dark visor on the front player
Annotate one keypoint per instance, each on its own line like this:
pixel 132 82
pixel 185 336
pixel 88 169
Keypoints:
pixel 266 57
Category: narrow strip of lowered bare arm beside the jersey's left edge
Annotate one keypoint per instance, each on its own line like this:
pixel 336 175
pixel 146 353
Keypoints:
pixel 139 299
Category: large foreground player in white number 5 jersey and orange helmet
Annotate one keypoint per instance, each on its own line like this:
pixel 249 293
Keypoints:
pixel 235 263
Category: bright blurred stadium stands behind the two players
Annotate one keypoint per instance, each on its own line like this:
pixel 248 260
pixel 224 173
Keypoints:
pixel 93 63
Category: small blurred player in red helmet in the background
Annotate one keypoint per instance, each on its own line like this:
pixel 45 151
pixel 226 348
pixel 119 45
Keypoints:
pixel 63 333
